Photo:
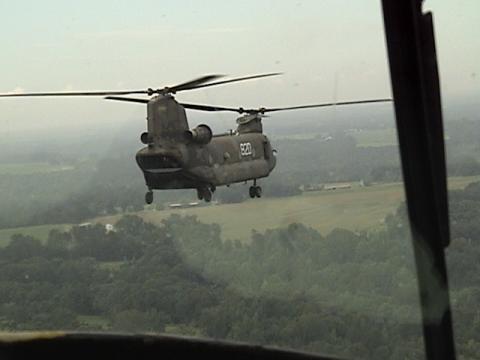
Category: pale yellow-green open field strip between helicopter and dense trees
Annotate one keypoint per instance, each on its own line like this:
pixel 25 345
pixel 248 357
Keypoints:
pixel 358 208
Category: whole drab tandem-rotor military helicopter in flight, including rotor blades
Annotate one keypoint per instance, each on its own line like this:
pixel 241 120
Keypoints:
pixel 177 157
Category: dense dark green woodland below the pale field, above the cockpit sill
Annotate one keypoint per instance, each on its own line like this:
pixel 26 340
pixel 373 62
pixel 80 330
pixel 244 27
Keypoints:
pixel 345 293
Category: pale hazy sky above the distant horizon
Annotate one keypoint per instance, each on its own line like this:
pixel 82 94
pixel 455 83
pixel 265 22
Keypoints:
pixel 326 48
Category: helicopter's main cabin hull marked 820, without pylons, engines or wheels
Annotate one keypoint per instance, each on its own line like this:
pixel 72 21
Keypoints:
pixel 226 159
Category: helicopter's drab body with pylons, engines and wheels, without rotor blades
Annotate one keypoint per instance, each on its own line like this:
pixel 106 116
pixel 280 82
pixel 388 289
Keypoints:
pixel 177 157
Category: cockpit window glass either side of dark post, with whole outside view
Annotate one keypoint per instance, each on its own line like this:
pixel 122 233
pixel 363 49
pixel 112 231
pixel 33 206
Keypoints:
pixel 224 170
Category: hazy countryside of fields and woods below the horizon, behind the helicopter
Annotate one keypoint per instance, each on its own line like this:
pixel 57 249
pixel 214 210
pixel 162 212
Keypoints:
pixel 321 263
